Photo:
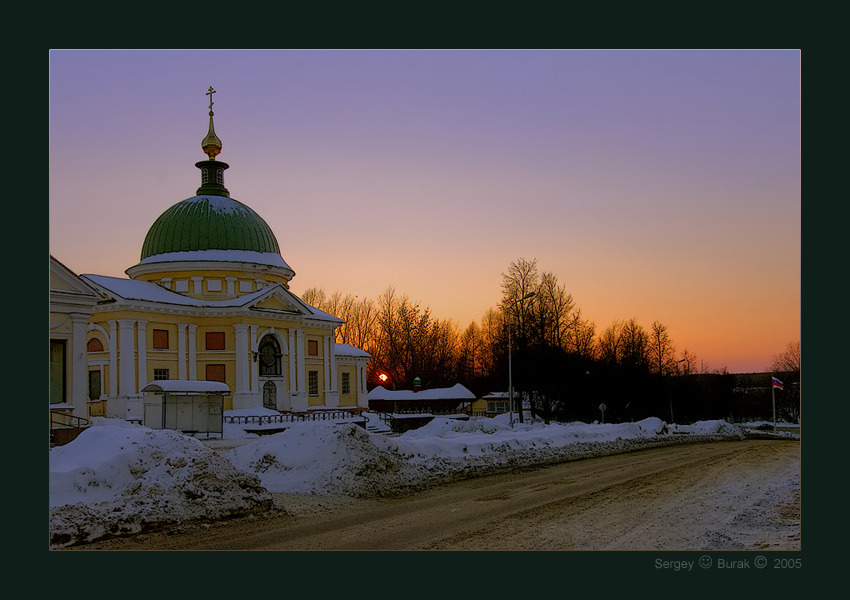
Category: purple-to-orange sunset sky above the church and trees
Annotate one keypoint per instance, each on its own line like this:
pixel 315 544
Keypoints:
pixel 660 185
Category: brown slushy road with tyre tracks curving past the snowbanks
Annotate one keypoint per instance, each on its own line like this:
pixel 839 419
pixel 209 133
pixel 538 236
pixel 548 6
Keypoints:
pixel 714 496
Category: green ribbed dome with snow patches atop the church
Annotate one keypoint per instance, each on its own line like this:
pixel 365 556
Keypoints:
pixel 208 222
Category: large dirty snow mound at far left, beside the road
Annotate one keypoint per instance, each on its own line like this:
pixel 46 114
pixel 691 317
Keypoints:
pixel 117 478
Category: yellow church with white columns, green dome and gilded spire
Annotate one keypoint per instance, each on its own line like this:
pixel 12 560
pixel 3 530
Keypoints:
pixel 209 300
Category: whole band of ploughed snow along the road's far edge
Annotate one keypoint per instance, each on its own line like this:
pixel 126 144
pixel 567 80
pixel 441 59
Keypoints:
pixel 121 478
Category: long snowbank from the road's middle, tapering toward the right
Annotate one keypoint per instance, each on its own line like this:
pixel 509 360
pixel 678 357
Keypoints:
pixel 344 459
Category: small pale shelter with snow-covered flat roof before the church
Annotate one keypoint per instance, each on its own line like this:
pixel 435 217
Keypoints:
pixel 188 406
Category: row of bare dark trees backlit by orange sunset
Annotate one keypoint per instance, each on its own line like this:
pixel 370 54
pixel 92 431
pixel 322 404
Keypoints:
pixel 562 366
